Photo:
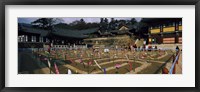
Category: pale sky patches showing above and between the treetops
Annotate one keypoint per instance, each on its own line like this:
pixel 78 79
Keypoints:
pixel 69 20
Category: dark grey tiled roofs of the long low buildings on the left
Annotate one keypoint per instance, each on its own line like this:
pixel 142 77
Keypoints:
pixel 63 32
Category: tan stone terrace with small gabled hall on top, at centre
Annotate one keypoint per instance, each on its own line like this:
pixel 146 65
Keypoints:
pixel 121 37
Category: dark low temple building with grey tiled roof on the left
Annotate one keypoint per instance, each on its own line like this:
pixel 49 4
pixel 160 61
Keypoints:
pixel 31 37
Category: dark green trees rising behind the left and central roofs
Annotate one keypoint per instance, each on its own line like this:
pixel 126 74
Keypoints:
pixel 103 25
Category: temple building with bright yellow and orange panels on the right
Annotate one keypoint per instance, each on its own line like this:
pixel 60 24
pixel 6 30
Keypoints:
pixel 164 30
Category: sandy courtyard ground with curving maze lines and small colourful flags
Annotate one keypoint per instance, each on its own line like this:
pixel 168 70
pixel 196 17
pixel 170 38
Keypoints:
pixel 92 61
